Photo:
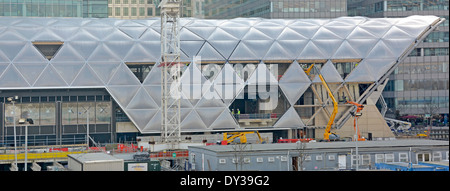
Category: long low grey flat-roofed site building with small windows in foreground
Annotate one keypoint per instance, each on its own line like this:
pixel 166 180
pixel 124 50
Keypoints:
pixel 315 156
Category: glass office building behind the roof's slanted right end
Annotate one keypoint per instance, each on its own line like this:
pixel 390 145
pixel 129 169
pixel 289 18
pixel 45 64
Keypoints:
pixel 420 85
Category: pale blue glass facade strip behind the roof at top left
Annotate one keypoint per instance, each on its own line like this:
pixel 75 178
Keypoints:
pixel 54 8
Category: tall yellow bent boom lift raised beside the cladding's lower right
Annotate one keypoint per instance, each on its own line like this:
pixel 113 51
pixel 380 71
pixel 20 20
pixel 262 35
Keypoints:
pixel 328 135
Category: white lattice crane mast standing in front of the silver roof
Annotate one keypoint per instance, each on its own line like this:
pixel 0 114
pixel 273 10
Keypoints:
pixel 171 71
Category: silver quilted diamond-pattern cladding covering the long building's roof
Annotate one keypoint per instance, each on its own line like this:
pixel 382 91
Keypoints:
pixel 93 56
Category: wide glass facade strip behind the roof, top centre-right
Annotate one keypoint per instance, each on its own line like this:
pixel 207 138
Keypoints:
pixel 218 9
